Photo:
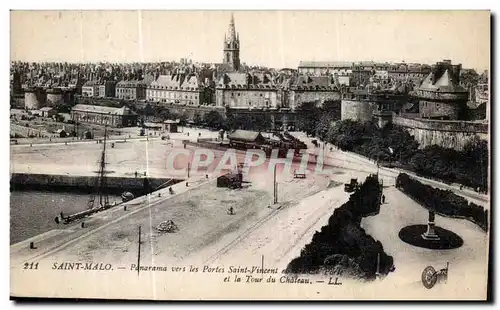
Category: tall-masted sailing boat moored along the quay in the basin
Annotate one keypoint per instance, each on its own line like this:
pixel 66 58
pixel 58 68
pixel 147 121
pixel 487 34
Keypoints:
pixel 100 192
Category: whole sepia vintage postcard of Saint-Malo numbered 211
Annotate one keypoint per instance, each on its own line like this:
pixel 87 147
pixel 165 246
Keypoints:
pixel 256 155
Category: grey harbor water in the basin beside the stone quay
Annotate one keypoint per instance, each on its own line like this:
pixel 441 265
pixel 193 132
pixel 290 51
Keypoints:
pixel 33 212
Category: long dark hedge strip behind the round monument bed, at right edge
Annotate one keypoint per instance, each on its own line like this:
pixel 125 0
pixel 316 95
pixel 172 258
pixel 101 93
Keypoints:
pixel 443 202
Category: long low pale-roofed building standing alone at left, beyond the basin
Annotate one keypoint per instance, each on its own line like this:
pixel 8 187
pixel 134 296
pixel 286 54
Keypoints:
pixel 115 117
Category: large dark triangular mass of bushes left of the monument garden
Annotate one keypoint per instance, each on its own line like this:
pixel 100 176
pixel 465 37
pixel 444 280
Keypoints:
pixel 343 244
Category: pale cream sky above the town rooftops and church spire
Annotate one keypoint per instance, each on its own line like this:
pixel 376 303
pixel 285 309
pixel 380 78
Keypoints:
pixel 279 39
